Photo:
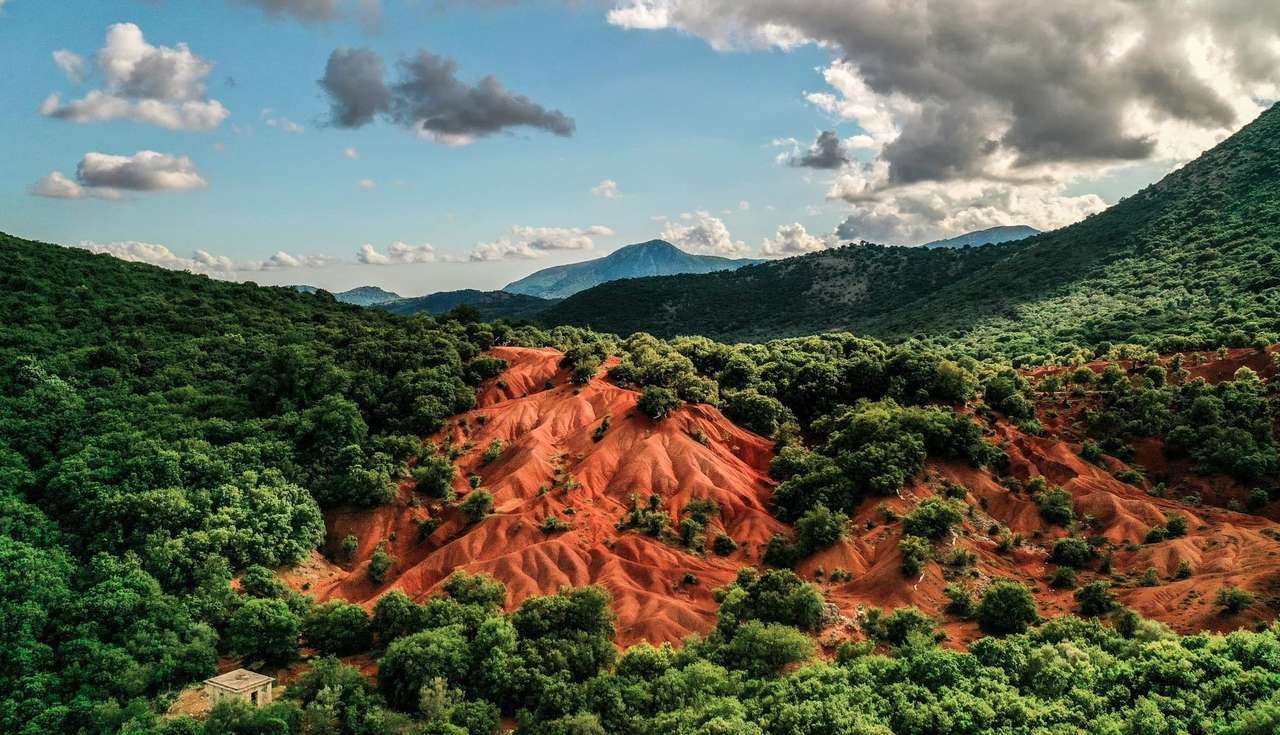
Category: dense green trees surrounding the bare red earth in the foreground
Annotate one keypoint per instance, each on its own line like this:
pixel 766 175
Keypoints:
pixel 163 435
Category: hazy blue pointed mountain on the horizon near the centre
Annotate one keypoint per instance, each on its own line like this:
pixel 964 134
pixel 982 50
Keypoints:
pixel 653 258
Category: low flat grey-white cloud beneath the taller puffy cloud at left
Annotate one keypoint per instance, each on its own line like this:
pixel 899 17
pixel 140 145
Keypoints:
pixel 106 176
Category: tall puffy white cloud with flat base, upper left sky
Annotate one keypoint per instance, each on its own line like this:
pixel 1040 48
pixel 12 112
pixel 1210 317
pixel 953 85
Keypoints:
pixel 158 85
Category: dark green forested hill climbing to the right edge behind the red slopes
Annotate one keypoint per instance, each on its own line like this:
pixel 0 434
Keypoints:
pixel 1191 261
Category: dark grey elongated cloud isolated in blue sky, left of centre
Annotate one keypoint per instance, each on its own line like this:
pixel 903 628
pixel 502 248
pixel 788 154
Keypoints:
pixel 429 99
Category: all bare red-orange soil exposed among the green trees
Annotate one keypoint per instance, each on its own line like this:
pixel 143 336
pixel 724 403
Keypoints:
pixel 550 465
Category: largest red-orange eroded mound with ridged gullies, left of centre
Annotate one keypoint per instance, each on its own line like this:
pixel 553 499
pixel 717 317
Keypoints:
pixel 551 465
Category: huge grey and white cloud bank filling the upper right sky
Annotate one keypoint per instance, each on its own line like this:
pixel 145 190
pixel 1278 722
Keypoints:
pixel 995 108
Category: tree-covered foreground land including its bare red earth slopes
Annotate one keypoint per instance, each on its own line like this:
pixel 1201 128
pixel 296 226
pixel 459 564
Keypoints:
pixel 163 435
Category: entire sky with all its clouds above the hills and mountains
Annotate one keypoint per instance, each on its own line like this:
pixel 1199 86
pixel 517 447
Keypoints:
pixel 431 145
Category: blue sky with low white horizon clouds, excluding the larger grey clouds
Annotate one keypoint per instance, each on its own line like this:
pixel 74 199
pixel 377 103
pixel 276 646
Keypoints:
pixel 684 122
